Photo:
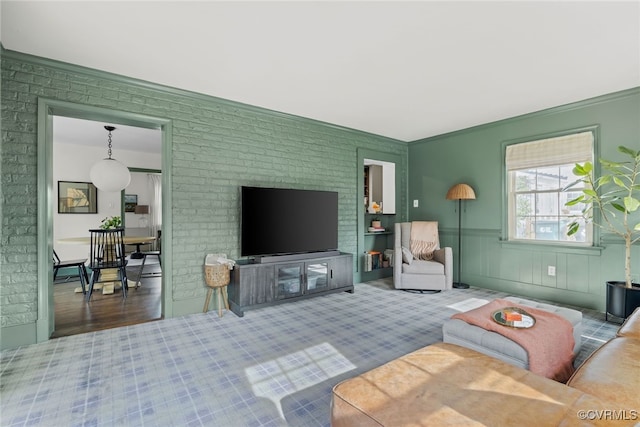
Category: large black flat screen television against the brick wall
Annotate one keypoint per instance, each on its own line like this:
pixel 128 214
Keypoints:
pixel 277 221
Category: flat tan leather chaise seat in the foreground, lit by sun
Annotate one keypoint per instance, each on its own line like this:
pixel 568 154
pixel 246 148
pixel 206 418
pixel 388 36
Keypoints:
pixel 444 384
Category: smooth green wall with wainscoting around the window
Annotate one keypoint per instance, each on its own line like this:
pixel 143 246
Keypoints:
pixel 475 156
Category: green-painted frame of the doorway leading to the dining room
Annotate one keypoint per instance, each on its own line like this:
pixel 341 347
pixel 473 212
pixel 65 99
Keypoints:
pixel 48 111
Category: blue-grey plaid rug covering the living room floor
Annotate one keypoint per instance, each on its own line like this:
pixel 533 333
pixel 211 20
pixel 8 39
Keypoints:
pixel 275 366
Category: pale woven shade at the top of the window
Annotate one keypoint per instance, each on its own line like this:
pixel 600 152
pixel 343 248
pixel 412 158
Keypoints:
pixel 562 150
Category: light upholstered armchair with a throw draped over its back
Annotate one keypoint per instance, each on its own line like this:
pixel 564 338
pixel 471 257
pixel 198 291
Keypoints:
pixel 412 273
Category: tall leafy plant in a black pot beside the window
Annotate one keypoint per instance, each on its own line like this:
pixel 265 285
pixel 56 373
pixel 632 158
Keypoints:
pixel 616 196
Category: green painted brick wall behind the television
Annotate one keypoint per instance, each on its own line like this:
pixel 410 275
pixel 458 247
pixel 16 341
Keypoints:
pixel 218 146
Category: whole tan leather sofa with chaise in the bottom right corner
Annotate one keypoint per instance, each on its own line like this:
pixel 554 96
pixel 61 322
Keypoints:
pixel 445 384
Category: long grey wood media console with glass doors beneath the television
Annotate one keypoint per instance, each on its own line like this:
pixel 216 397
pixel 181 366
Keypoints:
pixel 262 284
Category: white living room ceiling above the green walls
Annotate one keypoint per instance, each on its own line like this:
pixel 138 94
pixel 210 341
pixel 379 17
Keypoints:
pixel 407 70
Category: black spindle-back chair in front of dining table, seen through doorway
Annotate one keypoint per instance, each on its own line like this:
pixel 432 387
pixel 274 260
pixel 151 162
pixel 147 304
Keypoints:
pixel 107 253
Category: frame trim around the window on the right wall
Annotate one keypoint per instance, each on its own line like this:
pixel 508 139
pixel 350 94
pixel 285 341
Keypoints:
pixel 595 130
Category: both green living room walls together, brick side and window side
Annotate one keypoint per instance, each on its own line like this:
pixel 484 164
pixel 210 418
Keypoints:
pixel 218 145
